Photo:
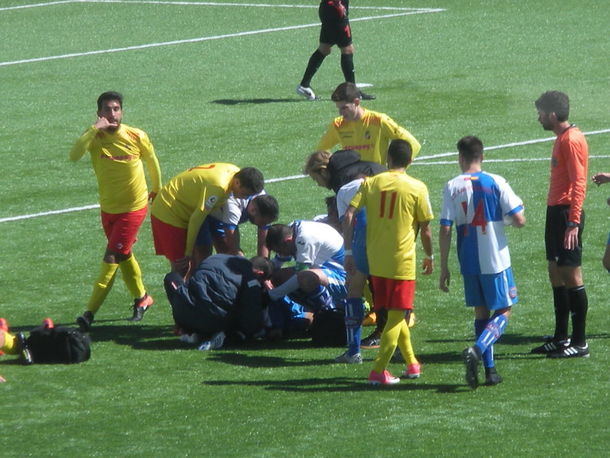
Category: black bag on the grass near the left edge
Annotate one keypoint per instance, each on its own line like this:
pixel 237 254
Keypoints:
pixel 58 345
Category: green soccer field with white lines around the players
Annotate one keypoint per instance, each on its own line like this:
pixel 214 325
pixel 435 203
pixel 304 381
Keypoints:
pixel 214 82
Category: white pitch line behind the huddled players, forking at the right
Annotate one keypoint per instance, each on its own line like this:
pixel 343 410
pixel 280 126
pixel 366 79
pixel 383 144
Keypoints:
pixel 295 177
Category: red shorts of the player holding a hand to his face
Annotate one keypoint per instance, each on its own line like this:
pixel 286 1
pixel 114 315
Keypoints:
pixel 122 229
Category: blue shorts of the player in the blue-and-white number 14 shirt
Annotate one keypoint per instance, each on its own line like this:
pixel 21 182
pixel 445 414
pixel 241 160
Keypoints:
pixel 494 291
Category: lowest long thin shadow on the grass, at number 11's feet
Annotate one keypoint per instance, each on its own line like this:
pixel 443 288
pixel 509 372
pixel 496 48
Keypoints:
pixel 337 384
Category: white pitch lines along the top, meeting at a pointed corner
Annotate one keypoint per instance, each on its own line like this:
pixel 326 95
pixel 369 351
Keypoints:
pixel 190 40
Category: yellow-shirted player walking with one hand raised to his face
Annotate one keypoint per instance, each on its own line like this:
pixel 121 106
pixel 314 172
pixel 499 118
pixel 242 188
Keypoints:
pixel 118 153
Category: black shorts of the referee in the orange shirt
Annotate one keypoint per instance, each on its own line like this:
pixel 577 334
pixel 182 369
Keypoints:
pixel 554 233
